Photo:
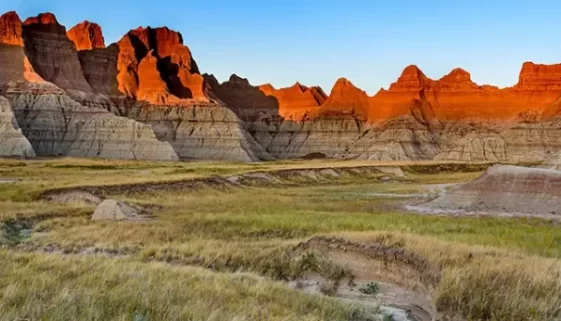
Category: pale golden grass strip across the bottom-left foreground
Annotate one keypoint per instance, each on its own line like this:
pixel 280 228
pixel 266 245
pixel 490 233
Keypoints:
pixel 35 287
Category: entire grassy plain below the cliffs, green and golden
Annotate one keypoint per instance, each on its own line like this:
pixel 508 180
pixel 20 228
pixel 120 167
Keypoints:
pixel 219 254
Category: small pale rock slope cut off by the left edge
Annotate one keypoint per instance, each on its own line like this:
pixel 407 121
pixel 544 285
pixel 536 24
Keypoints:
pixel 12 140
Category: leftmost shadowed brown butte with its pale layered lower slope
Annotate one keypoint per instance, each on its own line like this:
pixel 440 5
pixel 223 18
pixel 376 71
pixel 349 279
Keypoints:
pixel 51 120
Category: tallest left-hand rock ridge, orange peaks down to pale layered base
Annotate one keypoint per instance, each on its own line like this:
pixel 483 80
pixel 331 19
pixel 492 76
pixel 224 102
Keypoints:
pixel 72 95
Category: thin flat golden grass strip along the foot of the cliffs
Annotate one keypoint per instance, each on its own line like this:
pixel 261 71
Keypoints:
pixel 44 174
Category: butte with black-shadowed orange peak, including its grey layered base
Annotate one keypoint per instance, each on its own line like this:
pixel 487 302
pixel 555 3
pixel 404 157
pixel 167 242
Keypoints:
pixel 152 66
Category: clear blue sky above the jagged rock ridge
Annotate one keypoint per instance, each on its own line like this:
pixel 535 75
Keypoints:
pixel 316 42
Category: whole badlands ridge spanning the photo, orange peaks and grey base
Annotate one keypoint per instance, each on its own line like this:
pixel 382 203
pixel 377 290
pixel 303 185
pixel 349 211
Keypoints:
pixel 145 97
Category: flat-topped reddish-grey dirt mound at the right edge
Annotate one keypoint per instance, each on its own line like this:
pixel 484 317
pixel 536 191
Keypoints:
pixel 506 189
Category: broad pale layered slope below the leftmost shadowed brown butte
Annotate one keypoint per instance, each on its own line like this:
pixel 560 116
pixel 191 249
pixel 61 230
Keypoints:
pixel 57 125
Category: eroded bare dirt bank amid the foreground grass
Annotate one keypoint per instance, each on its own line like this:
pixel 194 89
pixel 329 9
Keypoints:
pixel 405 281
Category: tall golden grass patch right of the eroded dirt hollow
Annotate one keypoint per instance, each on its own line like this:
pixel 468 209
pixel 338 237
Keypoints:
pixel 484 283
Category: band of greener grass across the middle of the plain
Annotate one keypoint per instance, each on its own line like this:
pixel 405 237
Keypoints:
pixel 297 213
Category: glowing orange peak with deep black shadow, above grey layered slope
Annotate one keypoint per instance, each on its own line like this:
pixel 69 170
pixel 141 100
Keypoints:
pixel 166 61
